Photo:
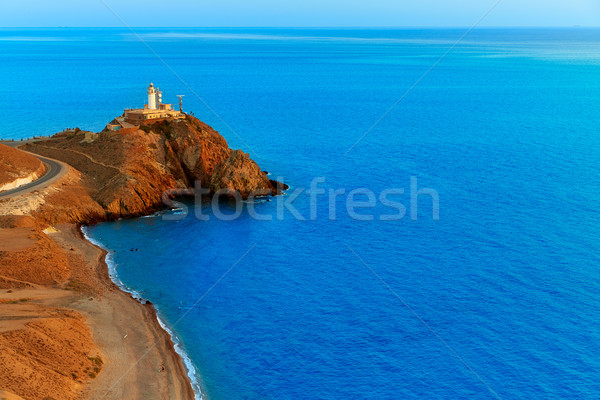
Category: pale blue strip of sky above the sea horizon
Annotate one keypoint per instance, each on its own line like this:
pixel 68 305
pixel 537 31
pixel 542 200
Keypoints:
pixel 297 13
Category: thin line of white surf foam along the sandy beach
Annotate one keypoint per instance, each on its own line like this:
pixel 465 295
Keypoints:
pixel 112 272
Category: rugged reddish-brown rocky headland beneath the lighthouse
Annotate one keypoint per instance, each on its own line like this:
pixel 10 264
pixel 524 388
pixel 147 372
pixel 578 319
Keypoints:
pixel 126 172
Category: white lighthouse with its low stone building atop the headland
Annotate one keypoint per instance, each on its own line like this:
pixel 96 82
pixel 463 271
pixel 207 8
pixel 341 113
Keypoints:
pixel 154 110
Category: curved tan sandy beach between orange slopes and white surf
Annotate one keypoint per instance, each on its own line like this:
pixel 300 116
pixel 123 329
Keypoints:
pixel 140 359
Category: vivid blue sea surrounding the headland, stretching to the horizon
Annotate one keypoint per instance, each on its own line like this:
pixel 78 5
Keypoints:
pixel 498 298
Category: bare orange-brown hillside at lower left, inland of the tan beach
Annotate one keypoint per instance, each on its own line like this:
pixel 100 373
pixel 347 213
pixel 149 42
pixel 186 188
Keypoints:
pixel 46 350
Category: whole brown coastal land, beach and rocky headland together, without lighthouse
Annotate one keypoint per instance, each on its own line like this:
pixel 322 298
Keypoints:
pixel 66 331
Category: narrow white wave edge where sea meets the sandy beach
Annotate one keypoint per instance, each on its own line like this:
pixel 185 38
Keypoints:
pixel 175 342
